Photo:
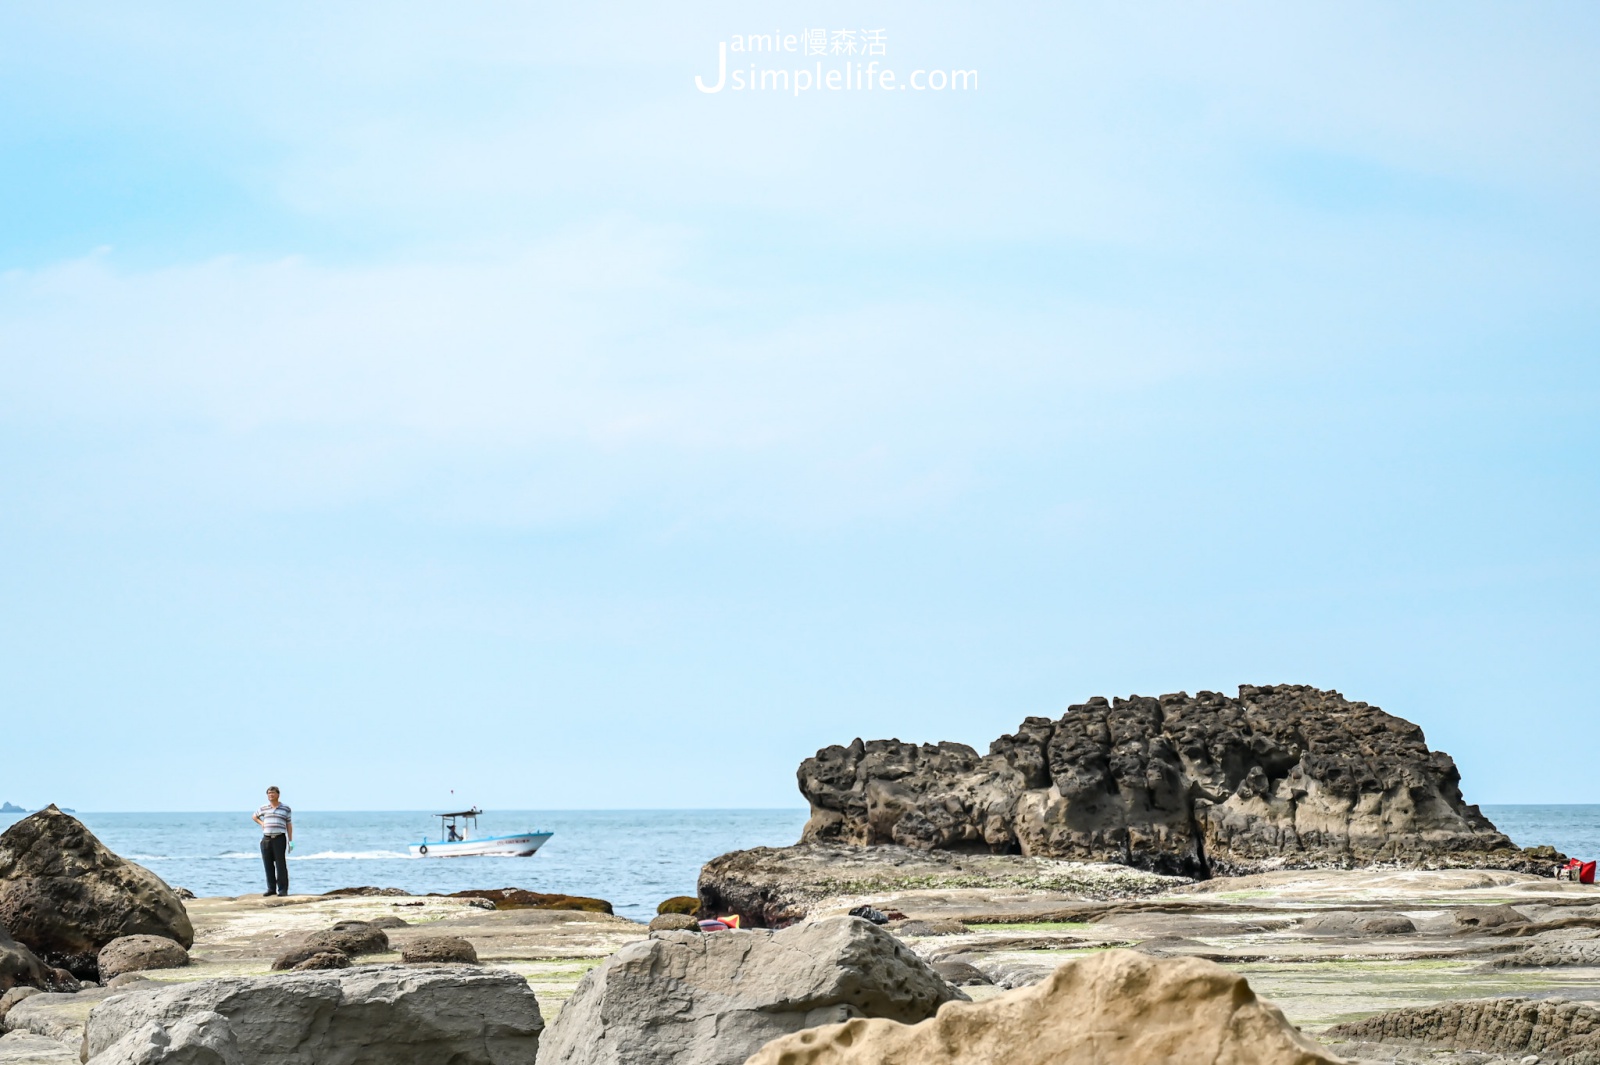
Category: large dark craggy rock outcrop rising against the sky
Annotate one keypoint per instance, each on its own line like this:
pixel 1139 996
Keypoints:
pixel 1282 776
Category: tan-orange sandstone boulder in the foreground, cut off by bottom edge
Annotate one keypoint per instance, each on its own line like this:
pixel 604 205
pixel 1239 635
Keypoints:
pixel 1118 1008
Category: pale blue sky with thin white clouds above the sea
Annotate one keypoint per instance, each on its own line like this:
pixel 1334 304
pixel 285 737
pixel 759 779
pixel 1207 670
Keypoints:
pixel 406 401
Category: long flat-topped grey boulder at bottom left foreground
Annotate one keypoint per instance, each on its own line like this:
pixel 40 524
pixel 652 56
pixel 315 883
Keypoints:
pixel 364 1016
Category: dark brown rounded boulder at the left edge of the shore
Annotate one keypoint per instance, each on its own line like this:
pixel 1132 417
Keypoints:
pixel 66 896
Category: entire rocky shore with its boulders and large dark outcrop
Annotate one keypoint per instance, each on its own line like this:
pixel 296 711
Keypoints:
pixel 1442 944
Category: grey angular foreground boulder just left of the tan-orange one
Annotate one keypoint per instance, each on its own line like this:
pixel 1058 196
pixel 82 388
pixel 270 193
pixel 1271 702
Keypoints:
pixel 681 999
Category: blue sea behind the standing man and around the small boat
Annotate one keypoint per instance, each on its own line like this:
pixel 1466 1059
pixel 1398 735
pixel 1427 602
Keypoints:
pixel 631 858
